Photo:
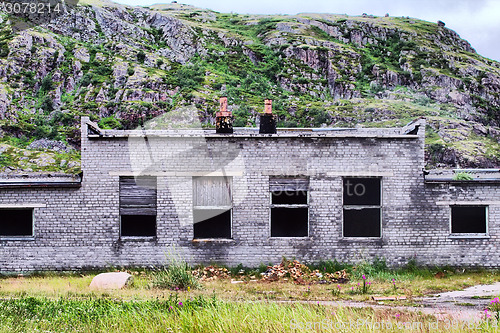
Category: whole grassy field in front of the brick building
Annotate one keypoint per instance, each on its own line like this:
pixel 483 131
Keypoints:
pixel 61 302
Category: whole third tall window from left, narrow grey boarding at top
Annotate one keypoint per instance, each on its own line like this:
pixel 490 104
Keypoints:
pixel 289 206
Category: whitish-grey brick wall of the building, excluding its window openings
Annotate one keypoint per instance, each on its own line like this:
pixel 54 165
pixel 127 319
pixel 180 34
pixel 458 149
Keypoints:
pixel 79 228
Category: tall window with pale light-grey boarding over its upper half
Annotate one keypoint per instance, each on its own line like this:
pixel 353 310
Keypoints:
pixel 212 205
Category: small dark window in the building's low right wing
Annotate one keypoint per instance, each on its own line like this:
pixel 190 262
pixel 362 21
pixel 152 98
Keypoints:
pixel 468 220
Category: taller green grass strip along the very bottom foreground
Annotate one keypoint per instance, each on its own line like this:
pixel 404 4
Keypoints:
pixel 194 315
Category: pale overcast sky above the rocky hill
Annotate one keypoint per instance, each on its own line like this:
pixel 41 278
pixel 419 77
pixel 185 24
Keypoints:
pixel 477 21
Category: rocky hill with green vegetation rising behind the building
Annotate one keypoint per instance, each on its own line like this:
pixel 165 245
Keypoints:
pixel 123 65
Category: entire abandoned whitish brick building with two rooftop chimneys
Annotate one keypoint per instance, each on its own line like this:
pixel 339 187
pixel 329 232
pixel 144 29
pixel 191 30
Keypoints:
pixel 249 196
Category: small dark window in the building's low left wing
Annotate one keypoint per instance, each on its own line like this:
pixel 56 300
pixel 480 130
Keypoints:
pixel 16 222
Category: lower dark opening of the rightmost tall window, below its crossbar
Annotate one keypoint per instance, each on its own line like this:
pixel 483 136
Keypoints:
pixel 362 222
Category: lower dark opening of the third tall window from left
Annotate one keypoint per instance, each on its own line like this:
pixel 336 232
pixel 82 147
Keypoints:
pixel 289 222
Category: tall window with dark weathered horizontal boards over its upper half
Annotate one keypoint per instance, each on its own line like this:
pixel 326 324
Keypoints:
pixel 138 206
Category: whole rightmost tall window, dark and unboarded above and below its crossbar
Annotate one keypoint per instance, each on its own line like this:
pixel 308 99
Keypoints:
pixel 362 207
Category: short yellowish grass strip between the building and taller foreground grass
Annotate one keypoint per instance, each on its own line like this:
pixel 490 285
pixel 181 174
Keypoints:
pixel 410 281
